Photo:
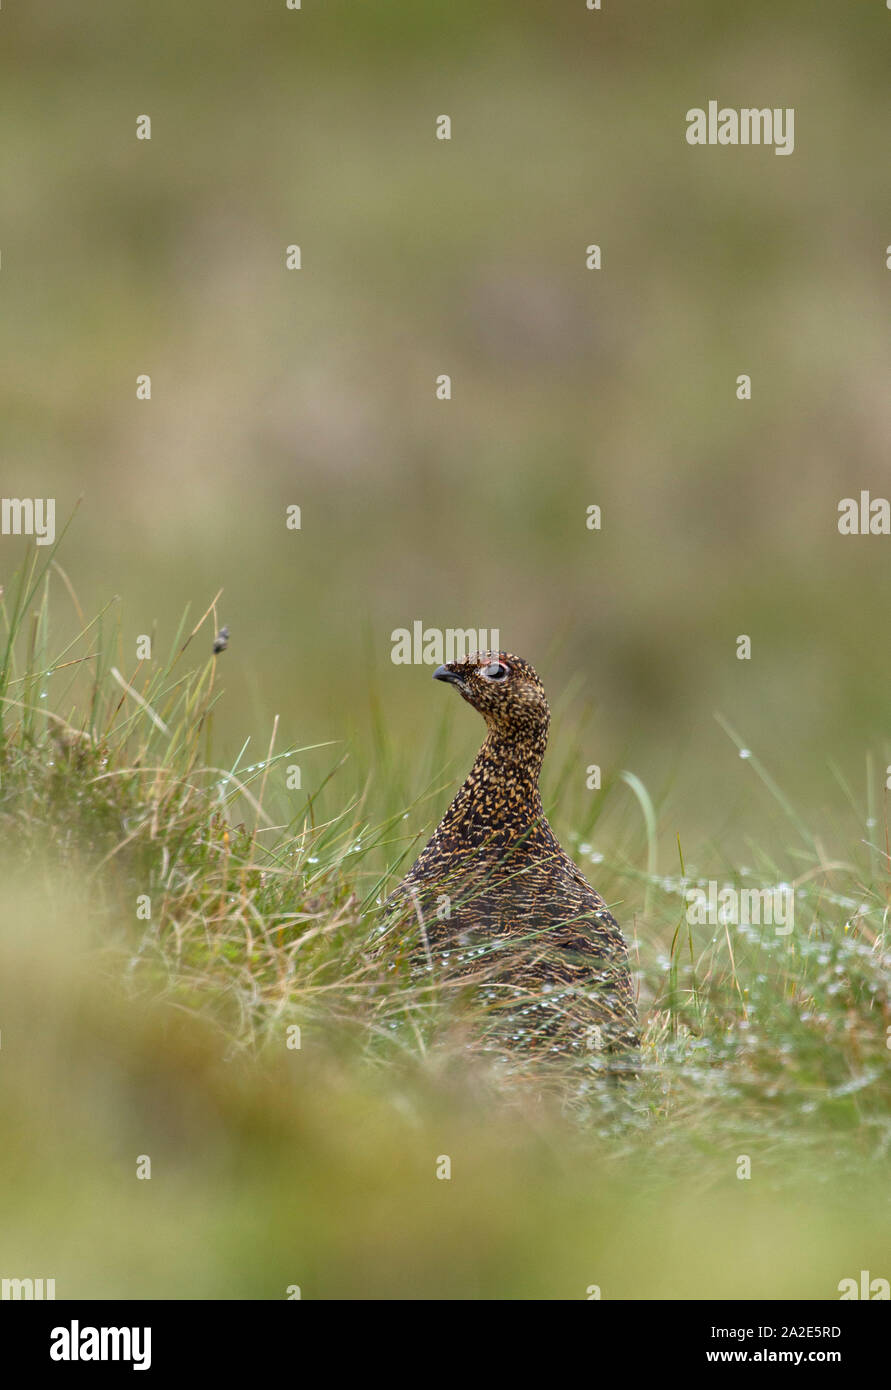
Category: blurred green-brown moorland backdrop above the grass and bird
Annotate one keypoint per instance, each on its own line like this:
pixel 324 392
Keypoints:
pixel 571 387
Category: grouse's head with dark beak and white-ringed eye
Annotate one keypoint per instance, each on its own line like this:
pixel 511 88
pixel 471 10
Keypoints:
pixel 505 690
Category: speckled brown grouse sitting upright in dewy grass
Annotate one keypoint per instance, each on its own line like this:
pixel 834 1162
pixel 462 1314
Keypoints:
pixel 496 900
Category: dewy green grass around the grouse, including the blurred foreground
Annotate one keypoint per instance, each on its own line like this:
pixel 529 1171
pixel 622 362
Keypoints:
pixel 167 1035
